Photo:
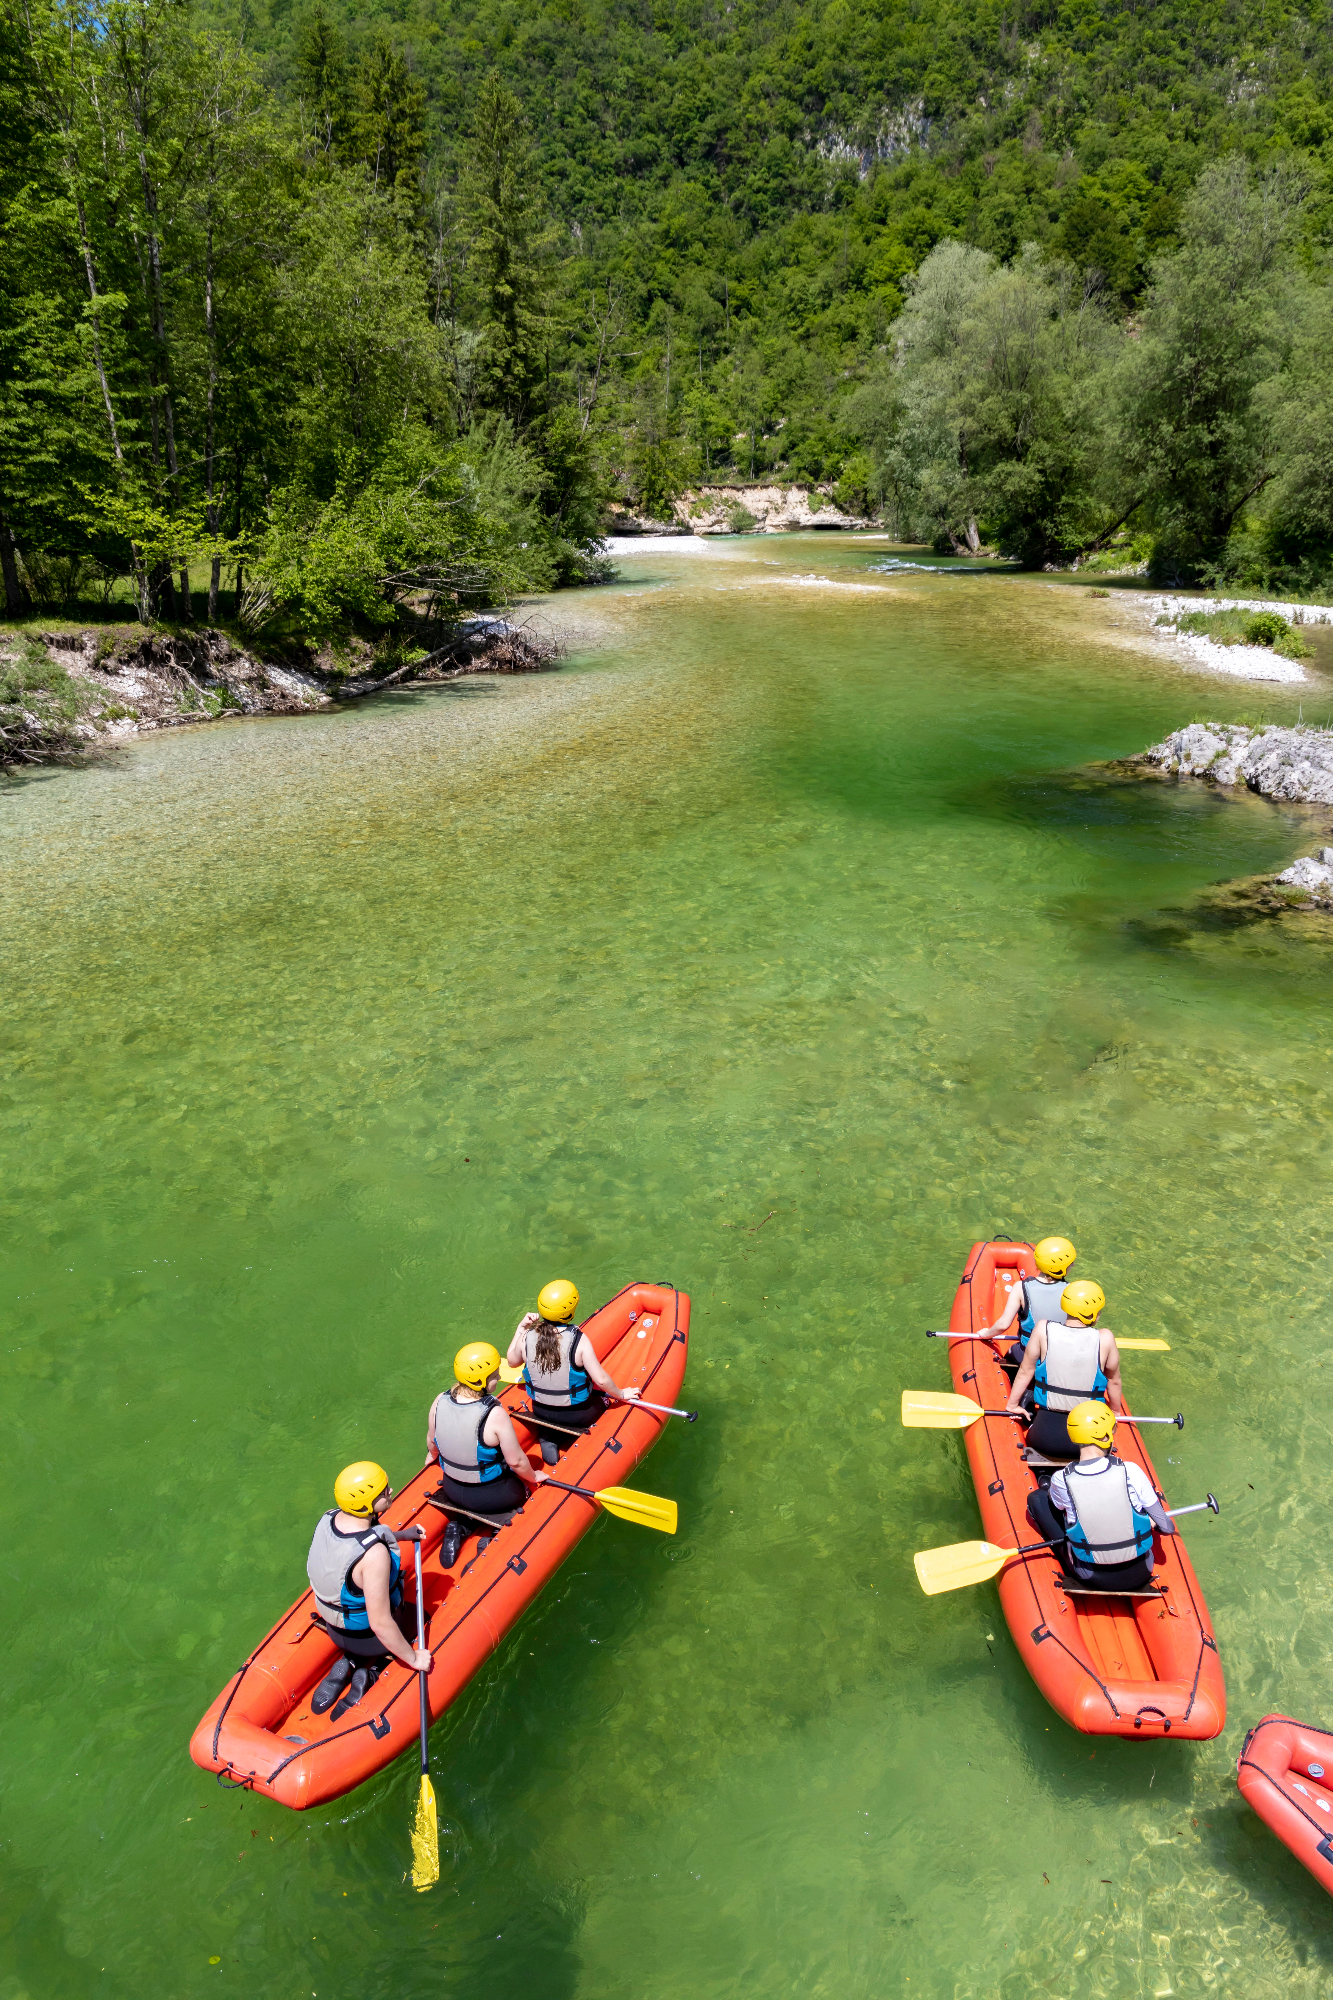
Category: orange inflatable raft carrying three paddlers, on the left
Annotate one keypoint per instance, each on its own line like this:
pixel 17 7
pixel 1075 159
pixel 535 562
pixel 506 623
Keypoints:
pixel 261 1733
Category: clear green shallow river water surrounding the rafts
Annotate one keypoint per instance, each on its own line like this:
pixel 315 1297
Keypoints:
pixel 774 947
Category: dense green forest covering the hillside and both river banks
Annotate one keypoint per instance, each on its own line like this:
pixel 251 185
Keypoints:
pixel 313 313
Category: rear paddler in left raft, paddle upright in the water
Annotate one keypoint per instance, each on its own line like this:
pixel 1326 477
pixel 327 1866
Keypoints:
pixel 357 1585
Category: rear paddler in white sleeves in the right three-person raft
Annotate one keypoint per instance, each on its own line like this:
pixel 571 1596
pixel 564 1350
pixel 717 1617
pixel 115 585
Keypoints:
pixel 1100 1511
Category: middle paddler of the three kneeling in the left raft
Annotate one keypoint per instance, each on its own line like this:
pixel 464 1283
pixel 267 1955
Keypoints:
pixel 471 1437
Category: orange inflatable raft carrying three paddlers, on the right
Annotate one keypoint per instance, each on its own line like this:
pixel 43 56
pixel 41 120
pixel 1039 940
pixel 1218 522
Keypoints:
pixel 1142 1667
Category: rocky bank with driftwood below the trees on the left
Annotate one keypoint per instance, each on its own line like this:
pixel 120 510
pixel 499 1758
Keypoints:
pixel 101 685
